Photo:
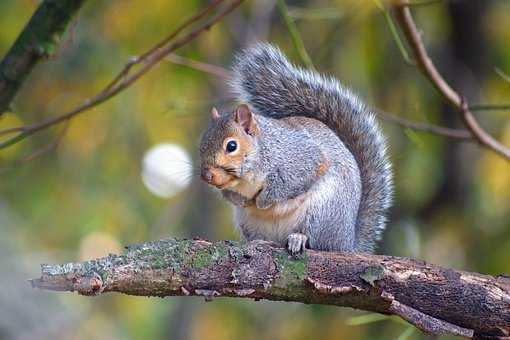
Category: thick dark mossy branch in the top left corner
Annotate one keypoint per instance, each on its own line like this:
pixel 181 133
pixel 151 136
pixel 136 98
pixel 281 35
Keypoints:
pixel 37 41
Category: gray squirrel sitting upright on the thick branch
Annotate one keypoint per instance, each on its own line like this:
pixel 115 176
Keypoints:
pixel 302 159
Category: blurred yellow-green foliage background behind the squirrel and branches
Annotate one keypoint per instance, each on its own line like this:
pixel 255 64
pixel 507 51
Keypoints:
pixel 95 193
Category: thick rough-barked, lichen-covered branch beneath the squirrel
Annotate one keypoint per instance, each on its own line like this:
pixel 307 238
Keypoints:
pixel 434 299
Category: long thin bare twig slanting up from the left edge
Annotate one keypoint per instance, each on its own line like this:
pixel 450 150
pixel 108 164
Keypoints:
pixel 125 79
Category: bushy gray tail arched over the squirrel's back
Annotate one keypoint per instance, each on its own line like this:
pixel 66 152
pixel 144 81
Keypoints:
pixel 264 78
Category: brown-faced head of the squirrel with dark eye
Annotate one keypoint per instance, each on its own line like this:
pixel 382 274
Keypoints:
pixel 228 148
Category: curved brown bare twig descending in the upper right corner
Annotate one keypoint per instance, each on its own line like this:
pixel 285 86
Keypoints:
pixel 405 19
